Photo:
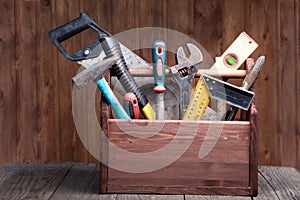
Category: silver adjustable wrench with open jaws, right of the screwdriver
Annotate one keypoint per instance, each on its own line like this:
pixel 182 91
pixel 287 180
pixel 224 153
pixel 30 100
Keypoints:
pixel 184 72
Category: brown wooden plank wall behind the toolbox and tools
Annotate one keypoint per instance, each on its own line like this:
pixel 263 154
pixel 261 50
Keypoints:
pixel 36 123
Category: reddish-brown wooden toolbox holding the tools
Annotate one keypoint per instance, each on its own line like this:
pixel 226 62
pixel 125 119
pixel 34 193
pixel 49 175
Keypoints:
pixel 230 168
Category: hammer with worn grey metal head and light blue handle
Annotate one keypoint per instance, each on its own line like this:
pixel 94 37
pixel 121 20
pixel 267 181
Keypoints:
pixel 95 73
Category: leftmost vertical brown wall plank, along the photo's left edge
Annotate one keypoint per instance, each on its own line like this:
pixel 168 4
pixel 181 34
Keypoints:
pixel 8 96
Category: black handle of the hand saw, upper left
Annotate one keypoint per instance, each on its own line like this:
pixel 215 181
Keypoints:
pixel 68 30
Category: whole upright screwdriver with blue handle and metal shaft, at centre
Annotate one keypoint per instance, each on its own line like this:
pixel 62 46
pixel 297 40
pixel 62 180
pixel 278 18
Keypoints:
pixel 159 65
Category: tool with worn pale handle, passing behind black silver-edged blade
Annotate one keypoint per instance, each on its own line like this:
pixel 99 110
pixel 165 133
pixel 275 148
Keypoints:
pixel 246 85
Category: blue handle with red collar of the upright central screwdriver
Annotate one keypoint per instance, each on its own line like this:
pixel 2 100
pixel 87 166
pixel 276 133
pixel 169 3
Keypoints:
pixel 159 64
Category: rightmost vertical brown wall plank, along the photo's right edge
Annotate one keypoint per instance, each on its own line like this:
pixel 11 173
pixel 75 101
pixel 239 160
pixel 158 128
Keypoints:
pixel 287 86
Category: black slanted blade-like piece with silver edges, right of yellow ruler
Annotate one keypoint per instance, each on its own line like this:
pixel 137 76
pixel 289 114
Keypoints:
pixel 228 93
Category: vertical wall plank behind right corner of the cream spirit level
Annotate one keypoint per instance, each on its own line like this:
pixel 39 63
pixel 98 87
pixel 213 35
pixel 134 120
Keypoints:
pixel 260 20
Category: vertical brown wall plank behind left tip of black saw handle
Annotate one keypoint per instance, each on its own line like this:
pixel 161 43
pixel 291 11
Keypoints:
pixel 48 124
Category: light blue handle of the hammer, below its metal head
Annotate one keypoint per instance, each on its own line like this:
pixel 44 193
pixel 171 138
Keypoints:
pixel 111 99
